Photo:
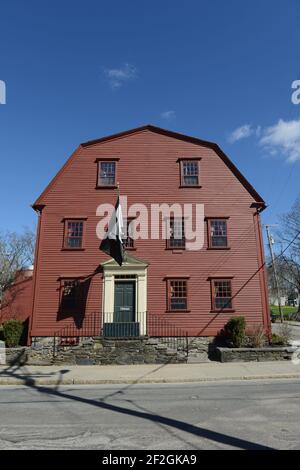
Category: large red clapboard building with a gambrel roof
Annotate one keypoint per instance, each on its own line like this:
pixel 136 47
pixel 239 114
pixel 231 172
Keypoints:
pixel 78 289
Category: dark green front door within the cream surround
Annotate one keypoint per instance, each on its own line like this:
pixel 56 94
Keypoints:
pixel 124 302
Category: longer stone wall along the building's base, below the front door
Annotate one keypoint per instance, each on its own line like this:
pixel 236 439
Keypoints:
pixel 97 351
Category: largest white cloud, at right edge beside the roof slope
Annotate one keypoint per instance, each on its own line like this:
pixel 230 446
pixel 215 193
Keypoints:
pixel 283 137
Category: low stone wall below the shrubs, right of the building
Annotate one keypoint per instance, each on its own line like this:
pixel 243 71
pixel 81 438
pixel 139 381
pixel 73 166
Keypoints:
pixel 255 354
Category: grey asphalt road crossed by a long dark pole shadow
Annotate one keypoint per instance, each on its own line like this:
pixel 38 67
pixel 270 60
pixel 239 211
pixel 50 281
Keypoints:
pixel 239 415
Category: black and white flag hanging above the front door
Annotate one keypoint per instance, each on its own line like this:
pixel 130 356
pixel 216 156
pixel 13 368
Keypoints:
pixel 112 244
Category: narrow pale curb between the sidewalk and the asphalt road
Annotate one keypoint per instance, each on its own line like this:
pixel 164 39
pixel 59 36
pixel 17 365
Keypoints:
pixel 77 381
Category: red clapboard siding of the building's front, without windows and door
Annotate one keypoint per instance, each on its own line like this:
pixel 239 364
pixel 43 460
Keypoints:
pixel 148 171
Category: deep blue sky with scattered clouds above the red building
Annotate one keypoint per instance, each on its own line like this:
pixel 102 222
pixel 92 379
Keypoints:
pixel 78 70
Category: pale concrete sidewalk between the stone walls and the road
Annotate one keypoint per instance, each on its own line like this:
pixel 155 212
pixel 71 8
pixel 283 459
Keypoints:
pixel 138 374
